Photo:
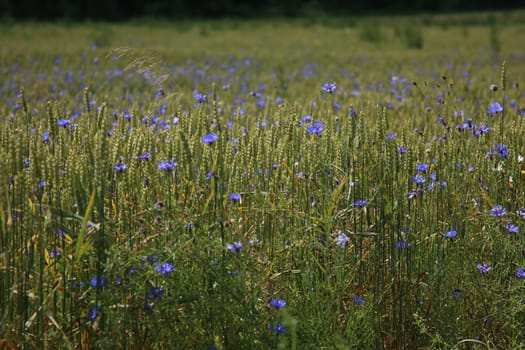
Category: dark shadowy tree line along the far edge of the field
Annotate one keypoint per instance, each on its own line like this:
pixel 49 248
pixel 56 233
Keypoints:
pixel 127 9
